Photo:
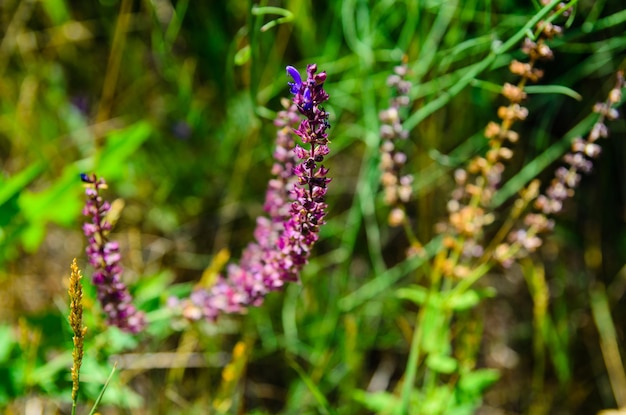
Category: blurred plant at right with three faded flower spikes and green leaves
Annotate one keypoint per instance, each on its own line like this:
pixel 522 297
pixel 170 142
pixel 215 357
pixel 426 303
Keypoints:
pixel 477 237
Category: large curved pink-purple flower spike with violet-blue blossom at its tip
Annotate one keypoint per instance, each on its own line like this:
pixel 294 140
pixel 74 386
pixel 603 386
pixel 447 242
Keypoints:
pixel 294 203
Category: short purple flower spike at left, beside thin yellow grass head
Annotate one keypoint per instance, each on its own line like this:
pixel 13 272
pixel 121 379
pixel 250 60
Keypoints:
pixel 104 257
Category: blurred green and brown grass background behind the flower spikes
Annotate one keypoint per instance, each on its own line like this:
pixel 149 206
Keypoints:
pixel 173 103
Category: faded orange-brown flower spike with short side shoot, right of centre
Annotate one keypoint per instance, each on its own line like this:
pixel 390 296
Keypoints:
pixel 469 209
